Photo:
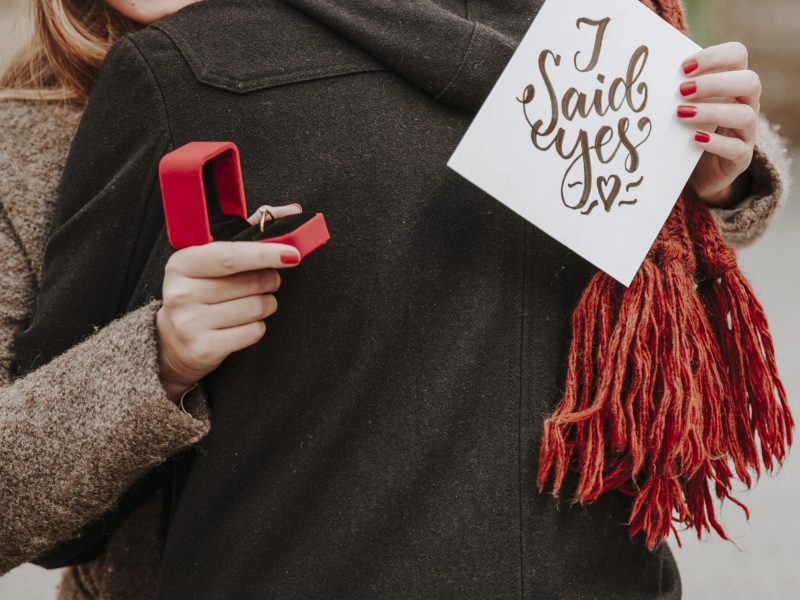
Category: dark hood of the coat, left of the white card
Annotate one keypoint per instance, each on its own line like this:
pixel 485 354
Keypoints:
pixel 453 49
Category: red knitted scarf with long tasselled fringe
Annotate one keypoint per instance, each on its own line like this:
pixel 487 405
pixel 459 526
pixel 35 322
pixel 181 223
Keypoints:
pixel 671 386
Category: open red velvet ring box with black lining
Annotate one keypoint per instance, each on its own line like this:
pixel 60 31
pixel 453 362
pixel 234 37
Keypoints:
pixel 203 196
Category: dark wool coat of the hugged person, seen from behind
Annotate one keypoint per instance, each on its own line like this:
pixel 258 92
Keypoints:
pixel 425 342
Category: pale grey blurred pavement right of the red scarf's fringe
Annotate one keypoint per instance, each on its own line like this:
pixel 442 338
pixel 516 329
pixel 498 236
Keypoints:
pixel 763 563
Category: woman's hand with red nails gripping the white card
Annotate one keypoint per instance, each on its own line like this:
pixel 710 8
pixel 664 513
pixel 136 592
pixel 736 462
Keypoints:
pixel 721 91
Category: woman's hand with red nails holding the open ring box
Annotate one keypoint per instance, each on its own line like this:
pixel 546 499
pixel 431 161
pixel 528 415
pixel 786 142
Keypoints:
pixel 216 298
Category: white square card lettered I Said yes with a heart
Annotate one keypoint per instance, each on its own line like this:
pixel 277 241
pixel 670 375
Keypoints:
pixel 605 185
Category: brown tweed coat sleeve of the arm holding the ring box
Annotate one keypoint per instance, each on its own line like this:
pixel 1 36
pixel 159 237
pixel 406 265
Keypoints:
pixel 77 432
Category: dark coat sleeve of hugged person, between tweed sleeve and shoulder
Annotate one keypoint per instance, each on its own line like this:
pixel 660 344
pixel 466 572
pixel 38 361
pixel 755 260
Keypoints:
pixel 108 211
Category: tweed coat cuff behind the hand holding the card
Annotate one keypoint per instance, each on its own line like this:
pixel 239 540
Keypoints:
pixel 771 176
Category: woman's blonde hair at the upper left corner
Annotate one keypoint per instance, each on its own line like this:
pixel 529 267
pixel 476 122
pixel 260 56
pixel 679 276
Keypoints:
pixel 68 44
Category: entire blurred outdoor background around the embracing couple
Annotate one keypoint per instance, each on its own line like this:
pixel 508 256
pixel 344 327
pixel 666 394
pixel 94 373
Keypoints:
pixel 764 561
